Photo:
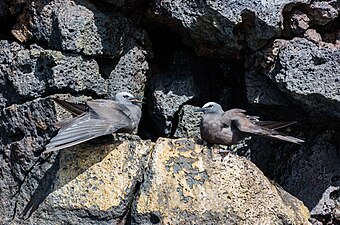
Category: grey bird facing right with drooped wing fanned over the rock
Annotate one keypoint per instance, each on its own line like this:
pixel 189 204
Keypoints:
pixel 96 118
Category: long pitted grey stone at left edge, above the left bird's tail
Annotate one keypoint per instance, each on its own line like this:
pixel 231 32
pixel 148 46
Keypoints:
pixel 31 73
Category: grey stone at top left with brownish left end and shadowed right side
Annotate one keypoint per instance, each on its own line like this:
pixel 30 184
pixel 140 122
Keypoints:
pixel 76 26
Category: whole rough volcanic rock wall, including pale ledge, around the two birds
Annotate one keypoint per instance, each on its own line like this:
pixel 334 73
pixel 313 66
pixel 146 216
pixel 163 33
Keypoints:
pixel 278 60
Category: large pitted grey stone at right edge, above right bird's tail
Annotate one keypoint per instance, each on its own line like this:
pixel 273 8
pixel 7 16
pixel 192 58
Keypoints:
pixel 301 71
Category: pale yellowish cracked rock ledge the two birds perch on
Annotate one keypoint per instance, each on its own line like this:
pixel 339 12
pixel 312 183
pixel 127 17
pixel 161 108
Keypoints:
pixel 170 181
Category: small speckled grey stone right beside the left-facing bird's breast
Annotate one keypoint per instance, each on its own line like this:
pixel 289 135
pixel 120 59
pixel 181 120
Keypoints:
pixel 188 122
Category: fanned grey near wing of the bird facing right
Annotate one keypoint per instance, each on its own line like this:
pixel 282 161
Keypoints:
pixel 103 117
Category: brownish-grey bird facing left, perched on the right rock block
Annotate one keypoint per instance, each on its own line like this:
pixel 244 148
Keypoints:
pixel 230 127
